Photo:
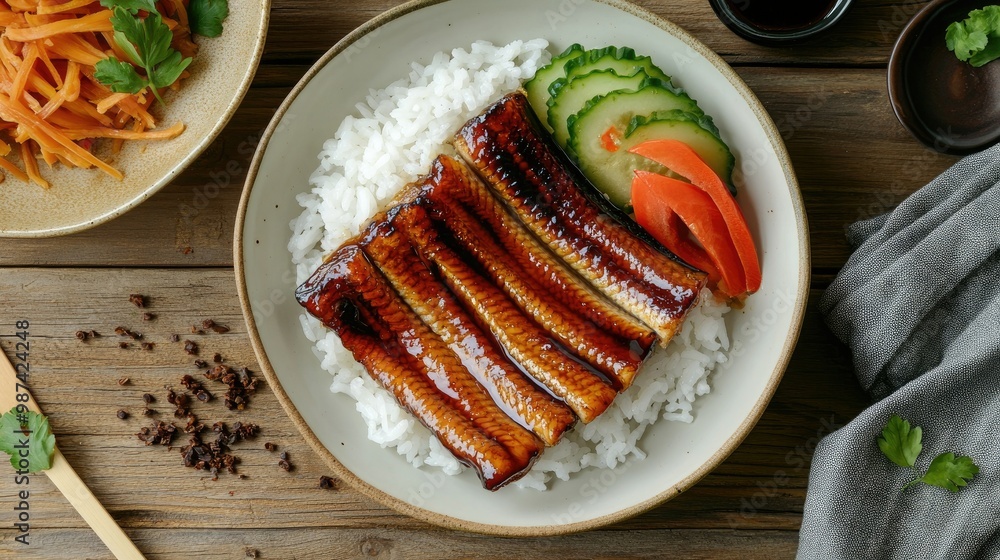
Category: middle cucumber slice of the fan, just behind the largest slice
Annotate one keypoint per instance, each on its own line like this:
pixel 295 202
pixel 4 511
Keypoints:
pixel 569 95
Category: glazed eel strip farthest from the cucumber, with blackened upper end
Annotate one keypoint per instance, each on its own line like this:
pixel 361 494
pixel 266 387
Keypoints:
pixel 351 297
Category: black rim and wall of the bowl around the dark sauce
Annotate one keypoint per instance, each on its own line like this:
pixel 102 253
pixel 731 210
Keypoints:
pixel 777 35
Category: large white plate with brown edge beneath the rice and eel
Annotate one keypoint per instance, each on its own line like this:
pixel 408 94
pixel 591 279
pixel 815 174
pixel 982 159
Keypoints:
pixel 679 454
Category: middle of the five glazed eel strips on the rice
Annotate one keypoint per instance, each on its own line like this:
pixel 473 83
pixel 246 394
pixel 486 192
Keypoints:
pixel 580 386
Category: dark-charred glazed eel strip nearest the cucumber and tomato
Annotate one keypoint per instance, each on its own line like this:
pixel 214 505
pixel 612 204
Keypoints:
pixel 508 148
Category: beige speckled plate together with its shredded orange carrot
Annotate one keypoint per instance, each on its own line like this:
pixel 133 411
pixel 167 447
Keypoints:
pixel 76 149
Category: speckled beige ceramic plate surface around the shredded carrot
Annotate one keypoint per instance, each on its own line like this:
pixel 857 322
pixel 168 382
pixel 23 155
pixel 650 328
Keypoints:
pixel 83 198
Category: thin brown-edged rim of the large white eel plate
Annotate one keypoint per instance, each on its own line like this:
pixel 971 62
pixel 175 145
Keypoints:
pixel 717 458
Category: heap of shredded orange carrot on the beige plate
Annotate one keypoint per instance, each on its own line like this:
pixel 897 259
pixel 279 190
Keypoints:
pixel 50 103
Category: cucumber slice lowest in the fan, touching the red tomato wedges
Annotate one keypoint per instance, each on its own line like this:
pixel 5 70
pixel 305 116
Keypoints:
pixel 699 132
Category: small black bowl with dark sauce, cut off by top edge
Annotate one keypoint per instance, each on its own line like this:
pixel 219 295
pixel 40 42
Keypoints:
pixel 780 22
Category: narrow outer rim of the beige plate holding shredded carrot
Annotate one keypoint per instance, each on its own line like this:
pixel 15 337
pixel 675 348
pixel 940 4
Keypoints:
pixel 170 175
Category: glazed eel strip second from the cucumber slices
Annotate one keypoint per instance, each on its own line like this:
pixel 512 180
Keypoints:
pixel 515 261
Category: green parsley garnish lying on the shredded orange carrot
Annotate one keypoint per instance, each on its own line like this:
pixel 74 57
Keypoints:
pixel 146 41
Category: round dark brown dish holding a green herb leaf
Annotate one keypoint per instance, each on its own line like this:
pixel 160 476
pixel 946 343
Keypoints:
pixel 947 104
